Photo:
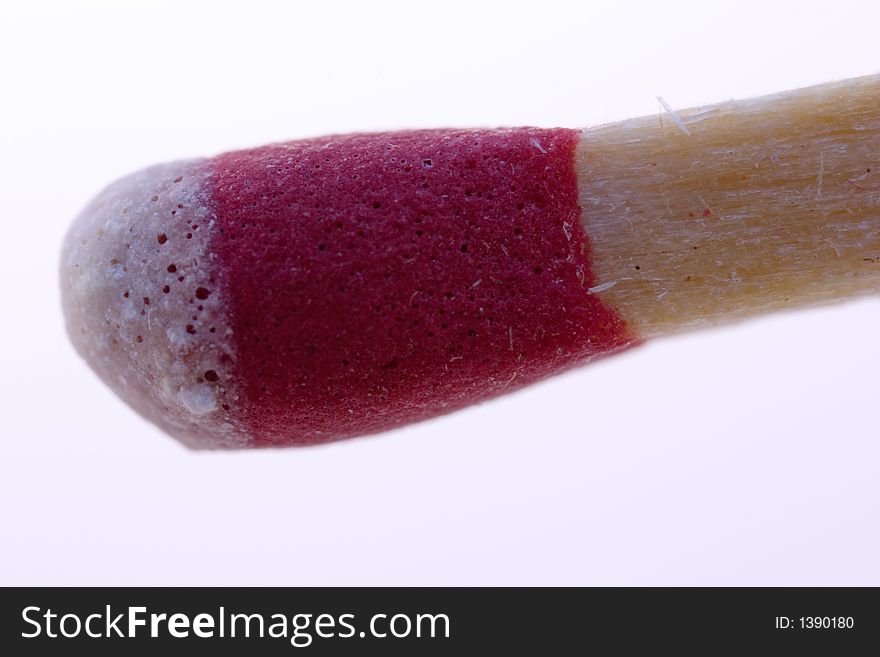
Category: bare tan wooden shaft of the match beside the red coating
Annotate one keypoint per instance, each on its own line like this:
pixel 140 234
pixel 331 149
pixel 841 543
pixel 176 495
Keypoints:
pixel 736 209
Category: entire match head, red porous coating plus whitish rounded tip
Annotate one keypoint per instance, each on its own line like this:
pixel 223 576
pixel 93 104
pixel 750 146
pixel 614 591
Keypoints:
pixel 328 288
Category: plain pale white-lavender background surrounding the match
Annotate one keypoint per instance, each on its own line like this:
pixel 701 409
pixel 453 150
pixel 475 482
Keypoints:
pixel 748 455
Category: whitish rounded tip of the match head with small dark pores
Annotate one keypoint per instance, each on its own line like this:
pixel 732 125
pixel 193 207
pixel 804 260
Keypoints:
pixel 143 303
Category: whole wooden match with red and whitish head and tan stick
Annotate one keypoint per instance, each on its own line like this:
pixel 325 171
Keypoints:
pixel 334 287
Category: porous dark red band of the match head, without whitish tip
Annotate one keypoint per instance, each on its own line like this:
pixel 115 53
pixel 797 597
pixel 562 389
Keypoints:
pixel 378 279
